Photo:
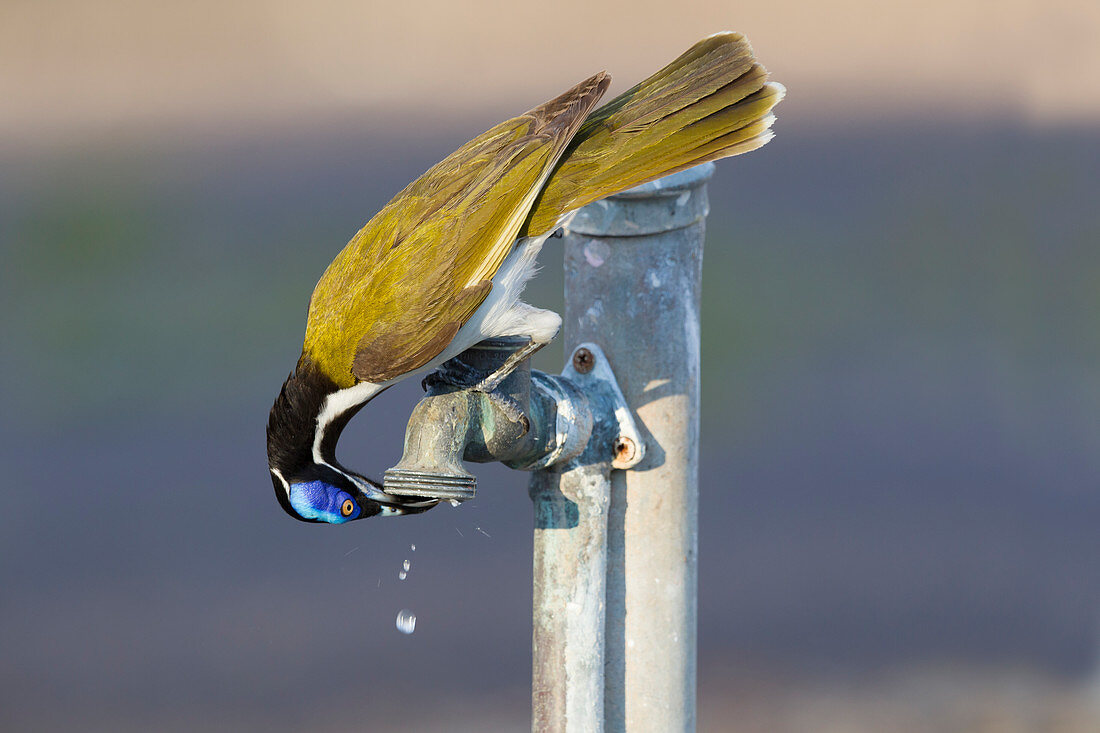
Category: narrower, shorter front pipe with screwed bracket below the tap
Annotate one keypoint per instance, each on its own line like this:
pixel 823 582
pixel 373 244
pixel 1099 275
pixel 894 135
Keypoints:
pixel 570 566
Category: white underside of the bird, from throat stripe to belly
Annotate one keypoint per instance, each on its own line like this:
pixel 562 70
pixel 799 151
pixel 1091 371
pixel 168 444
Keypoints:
pixel 501 314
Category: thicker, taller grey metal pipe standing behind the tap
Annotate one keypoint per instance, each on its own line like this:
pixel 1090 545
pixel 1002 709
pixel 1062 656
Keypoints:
pixel 633 272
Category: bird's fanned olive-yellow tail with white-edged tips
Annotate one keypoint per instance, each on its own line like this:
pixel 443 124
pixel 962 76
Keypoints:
pixel 711 103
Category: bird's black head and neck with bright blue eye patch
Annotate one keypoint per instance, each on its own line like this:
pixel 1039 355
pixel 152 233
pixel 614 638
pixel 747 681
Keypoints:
pixel 303 431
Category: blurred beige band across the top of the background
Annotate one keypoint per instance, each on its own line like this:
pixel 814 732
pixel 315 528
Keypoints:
pixel 73 69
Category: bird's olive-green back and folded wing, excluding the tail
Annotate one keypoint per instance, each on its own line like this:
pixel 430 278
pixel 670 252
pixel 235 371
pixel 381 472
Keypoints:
pixel 404 286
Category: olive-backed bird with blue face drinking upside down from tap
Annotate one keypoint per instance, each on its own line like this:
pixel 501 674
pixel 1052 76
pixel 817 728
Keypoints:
pixel 444 265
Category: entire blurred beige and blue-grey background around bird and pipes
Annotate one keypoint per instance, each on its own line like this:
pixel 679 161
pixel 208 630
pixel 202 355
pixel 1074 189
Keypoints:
pixel 901 454
